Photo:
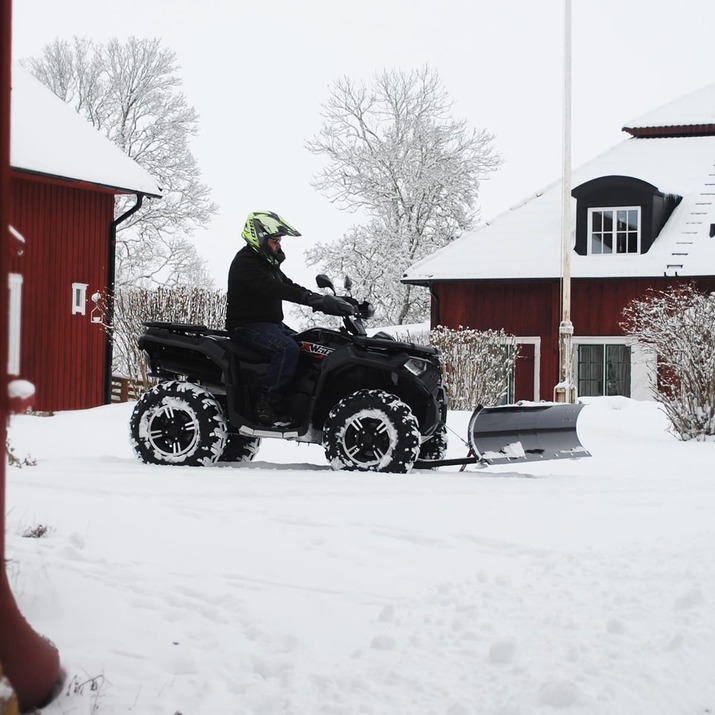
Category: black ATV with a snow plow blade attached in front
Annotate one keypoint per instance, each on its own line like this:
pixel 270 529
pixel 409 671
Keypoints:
pixel 374 403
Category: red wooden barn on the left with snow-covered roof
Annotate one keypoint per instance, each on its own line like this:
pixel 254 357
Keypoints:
pixel 65 176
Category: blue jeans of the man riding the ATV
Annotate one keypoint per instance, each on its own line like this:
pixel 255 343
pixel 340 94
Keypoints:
pixel 276 341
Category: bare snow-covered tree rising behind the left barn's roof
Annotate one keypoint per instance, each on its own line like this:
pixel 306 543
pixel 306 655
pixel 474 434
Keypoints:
pixel 131 93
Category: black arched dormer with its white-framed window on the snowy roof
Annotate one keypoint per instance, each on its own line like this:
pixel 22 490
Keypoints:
pixel 619 215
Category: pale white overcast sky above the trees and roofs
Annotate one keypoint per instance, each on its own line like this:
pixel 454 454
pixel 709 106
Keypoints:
pixel 257 73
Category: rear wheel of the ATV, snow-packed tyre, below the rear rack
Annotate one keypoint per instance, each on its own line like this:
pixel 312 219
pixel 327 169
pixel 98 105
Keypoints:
pixel 178 423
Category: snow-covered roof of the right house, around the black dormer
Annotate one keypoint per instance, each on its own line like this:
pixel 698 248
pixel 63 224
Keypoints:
pixel 525 241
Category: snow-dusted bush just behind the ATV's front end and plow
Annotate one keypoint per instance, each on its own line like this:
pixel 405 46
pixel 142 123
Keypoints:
pixel 477 365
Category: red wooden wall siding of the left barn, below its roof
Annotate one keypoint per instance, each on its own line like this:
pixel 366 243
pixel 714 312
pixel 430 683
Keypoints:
pixel 66 232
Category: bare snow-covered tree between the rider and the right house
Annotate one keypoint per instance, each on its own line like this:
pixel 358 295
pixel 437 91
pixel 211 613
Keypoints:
pixel 397 155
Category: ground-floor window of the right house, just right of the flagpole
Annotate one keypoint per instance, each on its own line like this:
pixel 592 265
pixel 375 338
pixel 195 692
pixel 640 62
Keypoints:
pixel 604 370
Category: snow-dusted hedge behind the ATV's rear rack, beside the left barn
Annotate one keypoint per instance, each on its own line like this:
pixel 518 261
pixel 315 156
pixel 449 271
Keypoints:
pixel 132 307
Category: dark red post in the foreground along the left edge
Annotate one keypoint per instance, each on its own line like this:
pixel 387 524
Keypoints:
pixel 30 662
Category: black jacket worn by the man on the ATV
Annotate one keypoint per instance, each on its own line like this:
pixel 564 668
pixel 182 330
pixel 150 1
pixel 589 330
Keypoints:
pixel 257 289
